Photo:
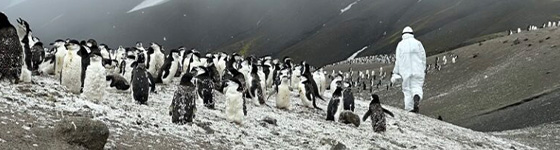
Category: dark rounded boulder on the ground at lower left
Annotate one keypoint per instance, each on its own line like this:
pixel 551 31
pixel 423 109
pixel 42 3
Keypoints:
pixel 91 134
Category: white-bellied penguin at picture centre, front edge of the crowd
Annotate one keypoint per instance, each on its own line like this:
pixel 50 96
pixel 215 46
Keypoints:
pixel 284 92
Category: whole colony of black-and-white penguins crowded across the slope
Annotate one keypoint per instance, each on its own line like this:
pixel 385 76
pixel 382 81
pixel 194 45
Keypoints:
pixel 81 67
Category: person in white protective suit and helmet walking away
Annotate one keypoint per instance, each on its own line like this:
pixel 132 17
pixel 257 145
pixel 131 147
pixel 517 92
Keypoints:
pixel 410 66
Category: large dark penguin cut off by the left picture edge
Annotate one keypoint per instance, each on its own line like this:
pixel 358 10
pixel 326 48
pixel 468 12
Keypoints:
pixel 11 51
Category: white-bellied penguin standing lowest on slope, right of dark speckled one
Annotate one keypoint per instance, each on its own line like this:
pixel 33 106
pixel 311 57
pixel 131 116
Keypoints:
pixel 235 102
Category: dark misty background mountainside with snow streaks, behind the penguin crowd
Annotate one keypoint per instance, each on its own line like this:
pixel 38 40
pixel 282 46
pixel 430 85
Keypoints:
pixel 328 31
